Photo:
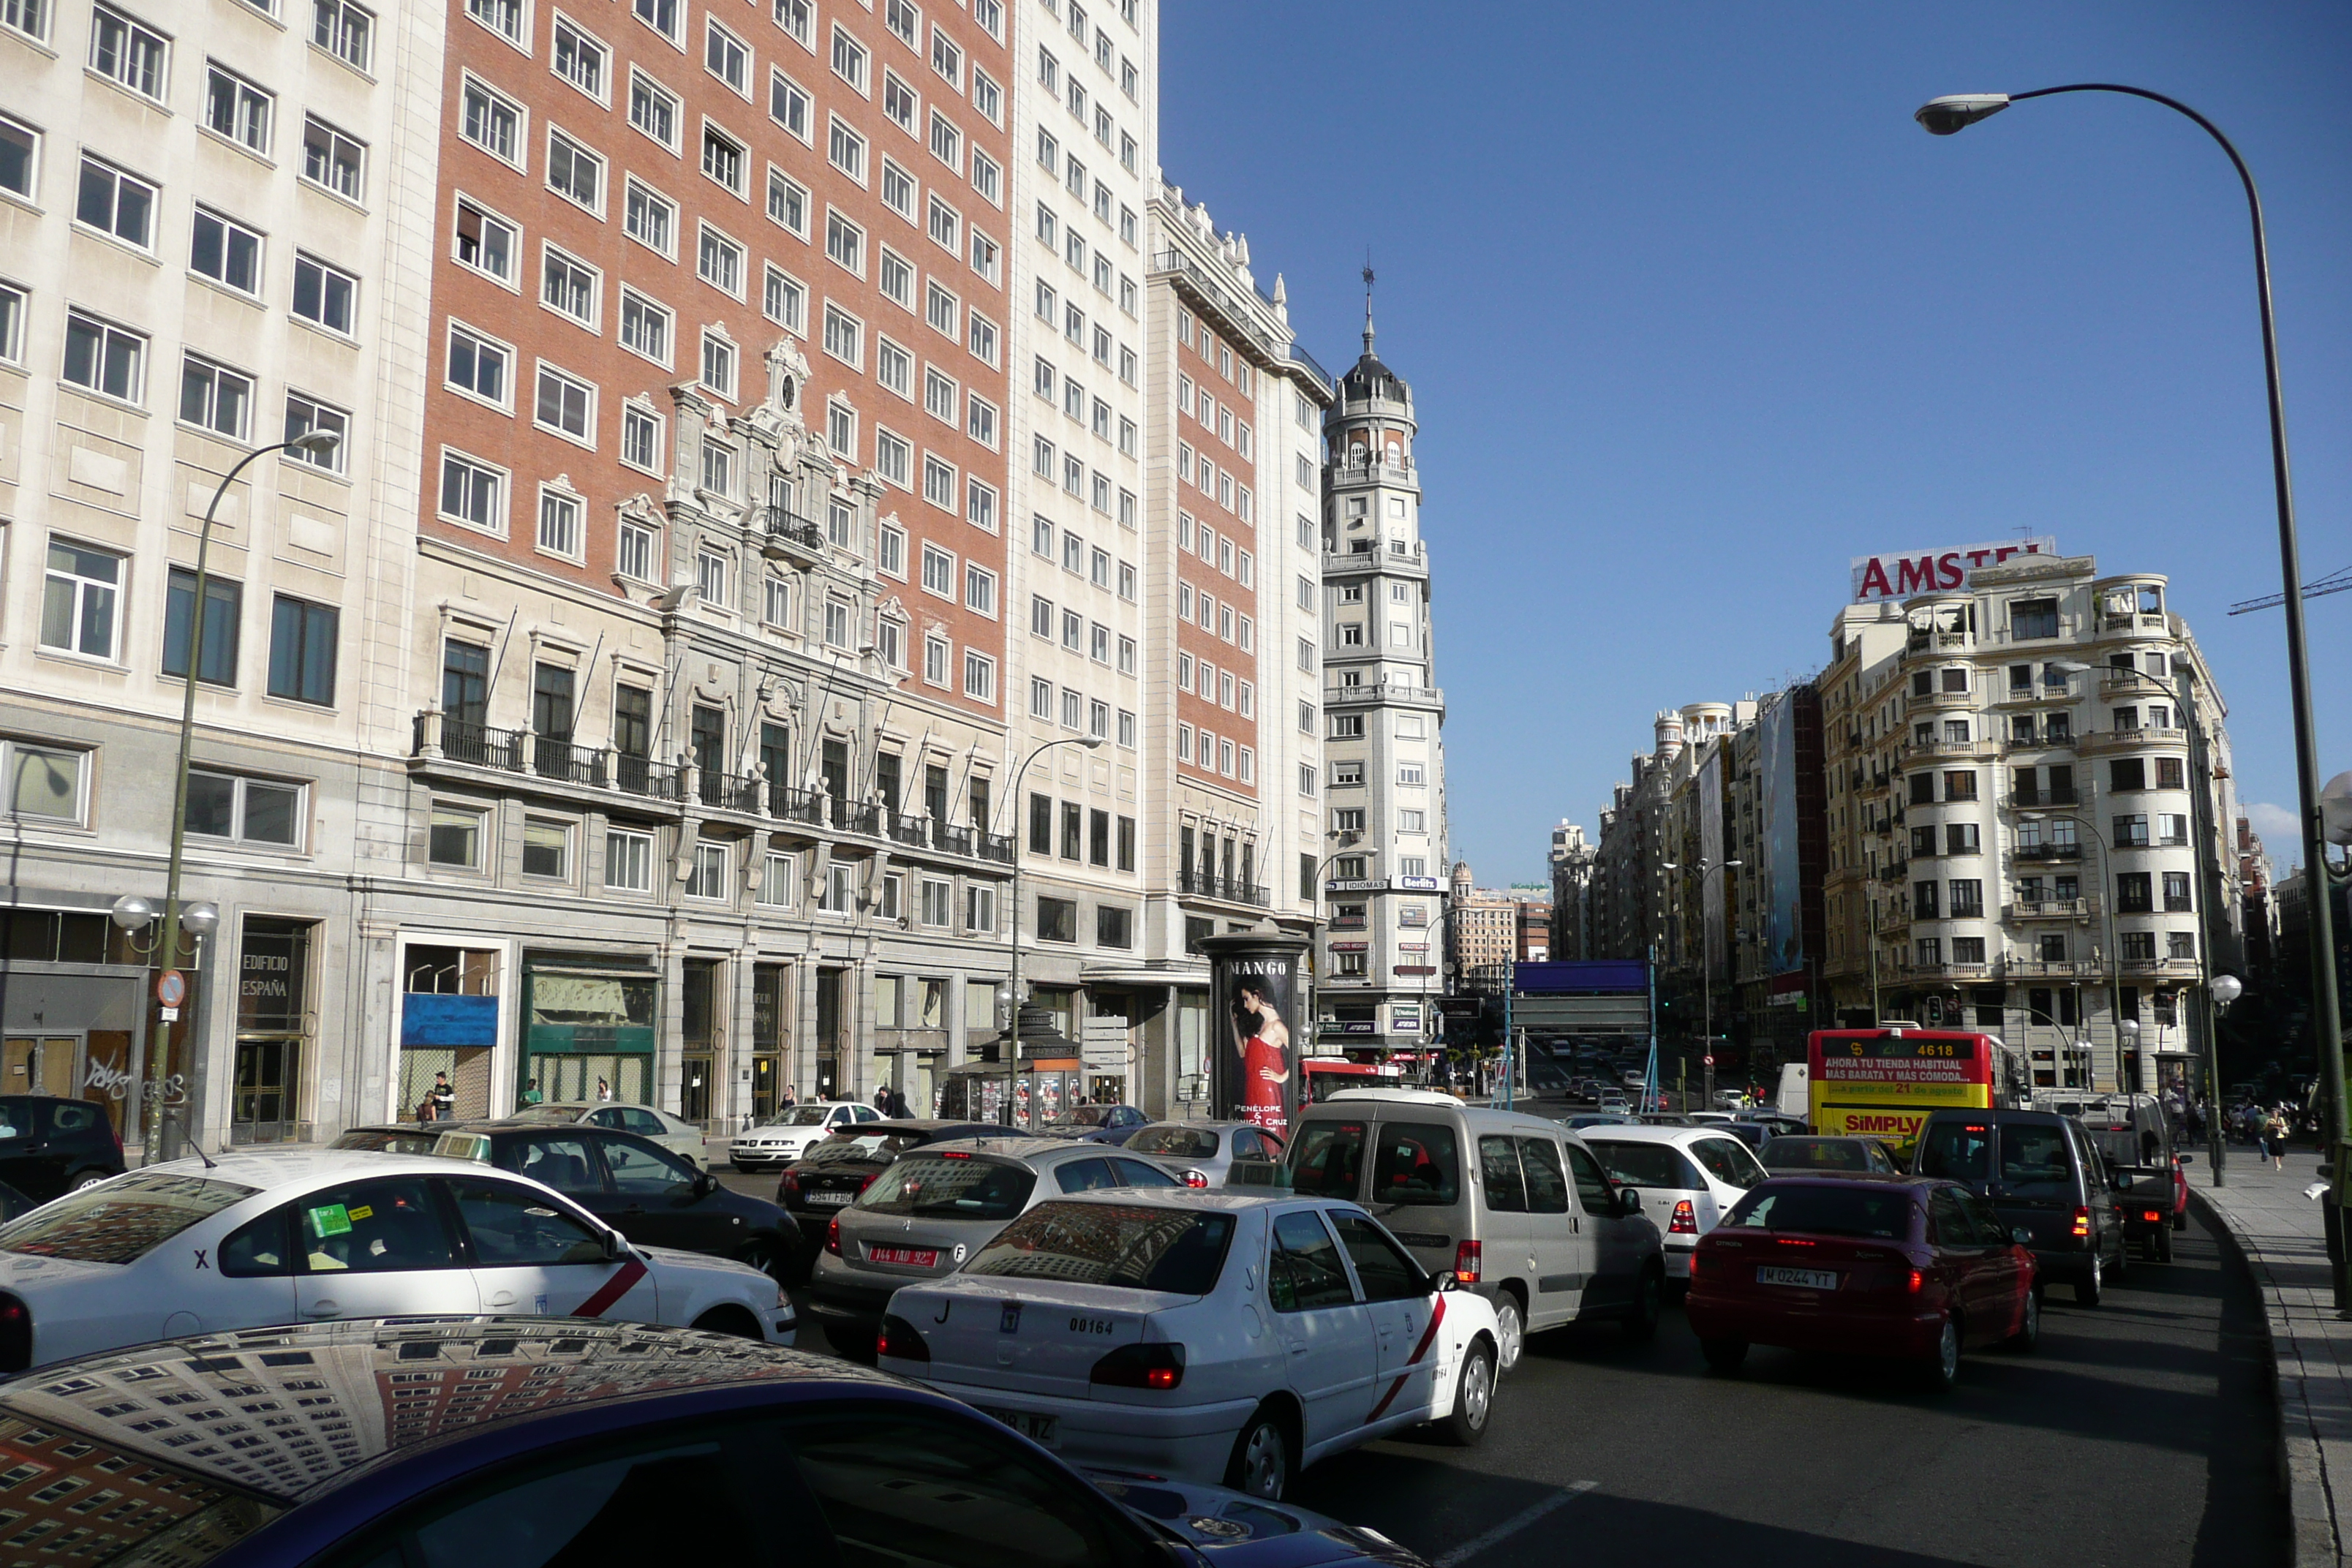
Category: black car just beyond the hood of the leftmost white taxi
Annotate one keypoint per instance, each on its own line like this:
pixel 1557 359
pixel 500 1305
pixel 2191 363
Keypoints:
pixel 636 1186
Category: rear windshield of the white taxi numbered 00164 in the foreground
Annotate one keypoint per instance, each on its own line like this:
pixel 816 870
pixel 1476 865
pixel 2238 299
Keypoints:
pixel 1111 1245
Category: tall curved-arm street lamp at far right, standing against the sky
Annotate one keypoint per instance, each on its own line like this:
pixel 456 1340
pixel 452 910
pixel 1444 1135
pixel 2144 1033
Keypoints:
pixel 1958 112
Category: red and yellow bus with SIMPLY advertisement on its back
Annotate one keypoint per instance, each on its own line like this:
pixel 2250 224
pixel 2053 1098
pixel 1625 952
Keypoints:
pixel 1885 1083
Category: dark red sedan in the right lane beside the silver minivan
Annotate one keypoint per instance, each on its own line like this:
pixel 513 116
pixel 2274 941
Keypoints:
pixel 1876 1266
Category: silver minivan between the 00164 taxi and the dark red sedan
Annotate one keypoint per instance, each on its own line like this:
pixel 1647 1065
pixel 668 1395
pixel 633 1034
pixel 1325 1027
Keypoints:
pixel 1514 1207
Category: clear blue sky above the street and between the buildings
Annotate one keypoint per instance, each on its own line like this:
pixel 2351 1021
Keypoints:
pixel 1695 314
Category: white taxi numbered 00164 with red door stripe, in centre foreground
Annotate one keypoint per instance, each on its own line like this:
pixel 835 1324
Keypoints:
pixel 1220 1336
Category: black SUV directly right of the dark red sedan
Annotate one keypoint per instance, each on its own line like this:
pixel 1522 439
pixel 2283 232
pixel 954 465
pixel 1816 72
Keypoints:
pixel 2043 1174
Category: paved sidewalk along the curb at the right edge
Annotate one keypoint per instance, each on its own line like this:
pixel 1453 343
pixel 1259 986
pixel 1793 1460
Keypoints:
pixel 2278 1233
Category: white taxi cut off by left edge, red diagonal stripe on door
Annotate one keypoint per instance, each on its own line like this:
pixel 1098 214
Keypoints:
pixel 288 1235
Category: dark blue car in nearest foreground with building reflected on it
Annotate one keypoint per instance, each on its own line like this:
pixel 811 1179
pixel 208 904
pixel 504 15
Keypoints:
pixel 556 1445
